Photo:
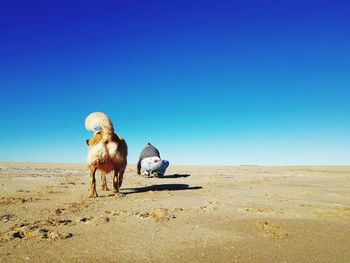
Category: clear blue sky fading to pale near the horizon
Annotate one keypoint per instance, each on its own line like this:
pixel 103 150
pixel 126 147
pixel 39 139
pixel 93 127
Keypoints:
pixel 207 82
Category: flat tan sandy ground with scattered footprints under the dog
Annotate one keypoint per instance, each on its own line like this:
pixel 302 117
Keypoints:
pixel 194 214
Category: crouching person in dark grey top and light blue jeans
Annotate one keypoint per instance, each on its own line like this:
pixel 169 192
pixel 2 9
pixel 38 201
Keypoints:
pixel 150 162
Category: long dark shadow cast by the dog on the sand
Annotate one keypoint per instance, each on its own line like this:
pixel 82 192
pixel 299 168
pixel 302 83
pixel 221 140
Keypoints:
pixel 160 187
